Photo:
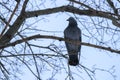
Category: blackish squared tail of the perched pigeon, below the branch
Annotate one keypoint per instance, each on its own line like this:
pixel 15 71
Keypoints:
pixel 73 60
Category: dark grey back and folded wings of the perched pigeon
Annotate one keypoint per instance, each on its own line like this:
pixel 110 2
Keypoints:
pixel 74 34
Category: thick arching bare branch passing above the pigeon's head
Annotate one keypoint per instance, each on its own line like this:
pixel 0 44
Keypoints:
pixel 90 12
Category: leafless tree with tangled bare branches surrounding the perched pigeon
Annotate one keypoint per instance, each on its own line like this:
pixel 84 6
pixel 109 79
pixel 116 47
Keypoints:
pixel 24 44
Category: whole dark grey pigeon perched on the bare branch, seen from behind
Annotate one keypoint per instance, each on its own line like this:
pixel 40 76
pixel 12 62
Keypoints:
pixel 74 33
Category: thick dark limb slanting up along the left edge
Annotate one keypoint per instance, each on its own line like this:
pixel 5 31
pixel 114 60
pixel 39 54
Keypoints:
pixel 12 30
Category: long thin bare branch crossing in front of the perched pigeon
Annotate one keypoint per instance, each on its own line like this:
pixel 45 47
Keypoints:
pixel 60 39
